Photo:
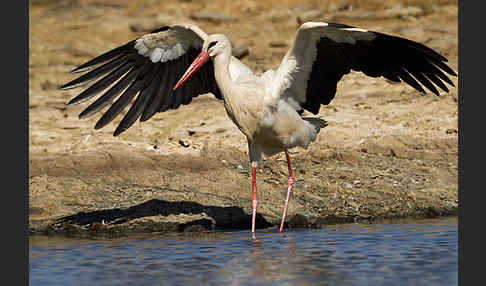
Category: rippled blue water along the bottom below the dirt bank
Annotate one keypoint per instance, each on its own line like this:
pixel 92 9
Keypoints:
pixel 417 252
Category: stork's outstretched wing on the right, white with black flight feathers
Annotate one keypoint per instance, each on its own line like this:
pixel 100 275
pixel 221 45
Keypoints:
pixel 323 52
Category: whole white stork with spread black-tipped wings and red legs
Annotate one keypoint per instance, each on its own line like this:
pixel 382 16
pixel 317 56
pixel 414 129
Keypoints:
pixel 266 108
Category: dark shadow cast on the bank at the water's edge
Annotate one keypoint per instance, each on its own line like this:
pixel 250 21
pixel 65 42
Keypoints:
pixel 156 216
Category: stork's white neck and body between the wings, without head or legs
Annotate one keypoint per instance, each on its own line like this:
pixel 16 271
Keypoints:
pixel 270 124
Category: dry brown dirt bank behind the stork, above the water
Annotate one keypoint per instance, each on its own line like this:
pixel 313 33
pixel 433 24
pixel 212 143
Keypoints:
pixel 388 151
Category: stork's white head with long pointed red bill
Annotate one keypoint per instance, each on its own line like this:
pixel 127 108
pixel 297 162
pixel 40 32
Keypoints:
pixel 213 46
